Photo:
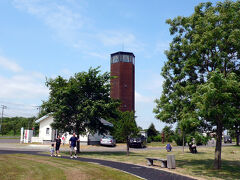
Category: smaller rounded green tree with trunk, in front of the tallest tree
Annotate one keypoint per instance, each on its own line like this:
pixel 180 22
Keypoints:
pixel 214 101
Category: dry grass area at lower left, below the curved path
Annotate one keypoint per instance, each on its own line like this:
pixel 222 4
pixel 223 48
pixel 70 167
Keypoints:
pixel 21 167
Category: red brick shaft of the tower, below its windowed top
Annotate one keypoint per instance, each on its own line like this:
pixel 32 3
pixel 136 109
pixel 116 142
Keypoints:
pixel 123 86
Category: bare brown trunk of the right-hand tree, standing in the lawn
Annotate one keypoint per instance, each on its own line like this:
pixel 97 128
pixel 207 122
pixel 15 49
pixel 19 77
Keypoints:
pixel 218 149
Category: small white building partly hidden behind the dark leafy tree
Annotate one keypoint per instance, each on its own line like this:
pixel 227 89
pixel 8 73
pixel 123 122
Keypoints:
pixel 48 134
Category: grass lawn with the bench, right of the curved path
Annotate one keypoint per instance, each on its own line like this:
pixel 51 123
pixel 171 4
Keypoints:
pixel 197 165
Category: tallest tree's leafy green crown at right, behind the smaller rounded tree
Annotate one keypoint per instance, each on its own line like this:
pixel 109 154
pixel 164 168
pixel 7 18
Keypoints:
pixel 203 42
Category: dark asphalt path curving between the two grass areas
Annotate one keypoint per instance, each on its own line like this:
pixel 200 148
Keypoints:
pixel 140 171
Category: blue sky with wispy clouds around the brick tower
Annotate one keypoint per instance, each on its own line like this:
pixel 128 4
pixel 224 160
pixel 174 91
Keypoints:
pixel 46 38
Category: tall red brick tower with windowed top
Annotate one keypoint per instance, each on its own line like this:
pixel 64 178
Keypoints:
pixel 123 85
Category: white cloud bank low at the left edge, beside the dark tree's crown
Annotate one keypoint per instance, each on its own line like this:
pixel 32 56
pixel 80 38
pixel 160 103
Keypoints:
pixel 20 86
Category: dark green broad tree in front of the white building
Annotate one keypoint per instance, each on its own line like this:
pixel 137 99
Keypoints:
pixel 78 103
